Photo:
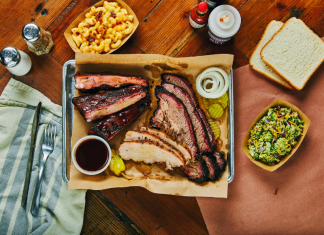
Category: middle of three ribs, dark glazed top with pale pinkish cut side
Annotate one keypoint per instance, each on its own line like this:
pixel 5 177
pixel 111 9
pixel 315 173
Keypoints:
pixel 97 106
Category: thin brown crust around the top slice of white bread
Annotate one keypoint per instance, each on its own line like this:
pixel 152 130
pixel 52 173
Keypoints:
pixel 282 76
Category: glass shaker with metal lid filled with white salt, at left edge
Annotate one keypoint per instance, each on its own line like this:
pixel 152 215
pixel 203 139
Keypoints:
pixel 16 61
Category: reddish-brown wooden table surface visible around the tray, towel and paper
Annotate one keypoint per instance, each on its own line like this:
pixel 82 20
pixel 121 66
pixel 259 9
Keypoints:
pixel 164 29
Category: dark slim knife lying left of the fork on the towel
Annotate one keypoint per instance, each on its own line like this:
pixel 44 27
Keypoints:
pixel 31 153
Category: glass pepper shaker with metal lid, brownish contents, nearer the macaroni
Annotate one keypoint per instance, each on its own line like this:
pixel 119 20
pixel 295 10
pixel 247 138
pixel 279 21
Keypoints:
pixel 39 41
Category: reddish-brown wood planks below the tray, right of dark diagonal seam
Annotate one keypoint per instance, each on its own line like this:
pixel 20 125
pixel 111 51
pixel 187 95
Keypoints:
pixel 158 214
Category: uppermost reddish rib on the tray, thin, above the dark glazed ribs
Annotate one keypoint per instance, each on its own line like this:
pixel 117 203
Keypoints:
pixel 88 82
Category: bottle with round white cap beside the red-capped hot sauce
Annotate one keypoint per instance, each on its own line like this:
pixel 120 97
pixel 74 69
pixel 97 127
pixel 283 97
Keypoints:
pixel 223 23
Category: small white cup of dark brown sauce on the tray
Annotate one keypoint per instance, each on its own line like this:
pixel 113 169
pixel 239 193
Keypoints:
pixel 91 155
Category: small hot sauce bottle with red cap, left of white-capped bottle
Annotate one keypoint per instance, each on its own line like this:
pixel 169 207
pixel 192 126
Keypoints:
pixel 198 17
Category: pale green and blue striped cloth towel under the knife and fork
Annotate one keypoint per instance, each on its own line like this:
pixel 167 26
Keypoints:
pixel 61 210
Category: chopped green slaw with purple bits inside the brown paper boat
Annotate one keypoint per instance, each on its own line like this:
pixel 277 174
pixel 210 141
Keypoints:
pixel 274 135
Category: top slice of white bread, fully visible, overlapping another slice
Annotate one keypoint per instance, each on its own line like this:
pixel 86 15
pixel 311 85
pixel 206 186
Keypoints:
pixel 294 53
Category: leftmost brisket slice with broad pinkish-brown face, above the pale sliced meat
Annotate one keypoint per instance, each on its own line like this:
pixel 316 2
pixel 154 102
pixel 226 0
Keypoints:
pixel 172 117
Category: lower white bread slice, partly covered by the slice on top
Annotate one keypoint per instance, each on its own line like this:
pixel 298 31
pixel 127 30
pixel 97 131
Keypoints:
pixel 257 63
